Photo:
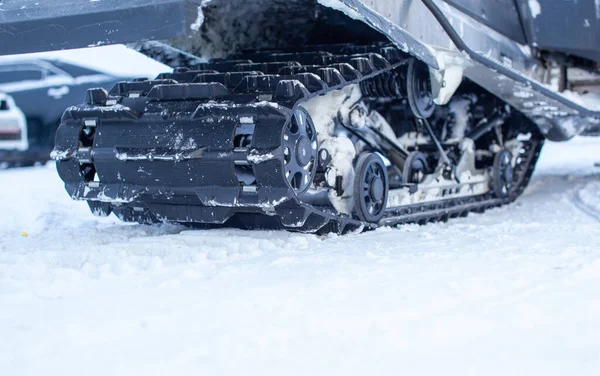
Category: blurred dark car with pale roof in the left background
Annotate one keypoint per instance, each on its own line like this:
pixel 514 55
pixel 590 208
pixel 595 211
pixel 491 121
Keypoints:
pixel 43 89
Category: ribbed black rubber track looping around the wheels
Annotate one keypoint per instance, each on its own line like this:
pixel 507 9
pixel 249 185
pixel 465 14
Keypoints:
pixel 207 98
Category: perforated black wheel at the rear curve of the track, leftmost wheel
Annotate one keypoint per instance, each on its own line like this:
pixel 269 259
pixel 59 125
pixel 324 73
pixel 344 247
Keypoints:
pixel 300 150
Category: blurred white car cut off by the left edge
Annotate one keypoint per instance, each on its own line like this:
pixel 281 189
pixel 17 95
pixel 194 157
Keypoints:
pixel 13 126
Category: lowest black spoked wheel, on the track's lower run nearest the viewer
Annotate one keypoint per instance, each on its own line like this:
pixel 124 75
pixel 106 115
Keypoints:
pixel 371 186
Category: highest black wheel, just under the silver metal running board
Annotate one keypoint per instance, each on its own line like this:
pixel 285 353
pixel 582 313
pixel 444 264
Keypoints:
pixel 418 89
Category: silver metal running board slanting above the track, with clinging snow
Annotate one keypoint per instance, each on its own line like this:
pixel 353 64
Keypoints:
pixel 411 26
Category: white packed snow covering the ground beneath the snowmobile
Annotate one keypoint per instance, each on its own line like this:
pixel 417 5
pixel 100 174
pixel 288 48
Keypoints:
pixel 514 291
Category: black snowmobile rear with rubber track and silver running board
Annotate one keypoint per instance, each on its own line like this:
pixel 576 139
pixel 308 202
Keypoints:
pixel 317 115
